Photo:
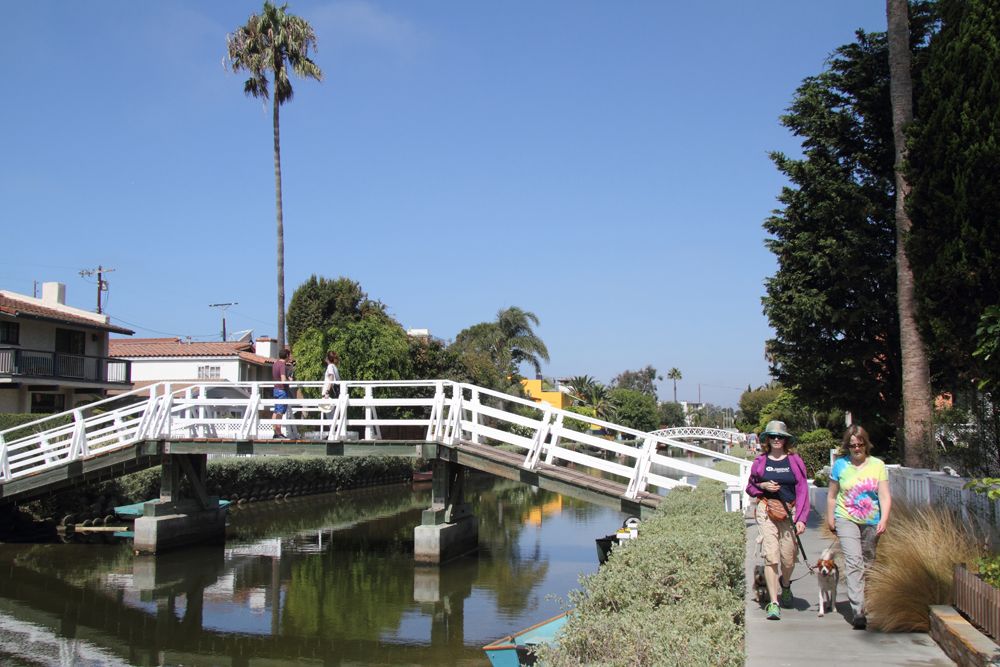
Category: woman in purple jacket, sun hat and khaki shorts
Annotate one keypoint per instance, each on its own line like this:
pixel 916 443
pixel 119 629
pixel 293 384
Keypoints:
pixel 779 473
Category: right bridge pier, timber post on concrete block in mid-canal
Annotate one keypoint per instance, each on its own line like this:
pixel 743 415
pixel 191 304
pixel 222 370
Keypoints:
pixel 448 529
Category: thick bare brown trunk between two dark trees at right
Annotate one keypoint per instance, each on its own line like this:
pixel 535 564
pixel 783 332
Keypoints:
pixel 918 427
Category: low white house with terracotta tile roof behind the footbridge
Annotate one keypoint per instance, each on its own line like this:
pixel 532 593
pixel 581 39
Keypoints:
pixel 187 364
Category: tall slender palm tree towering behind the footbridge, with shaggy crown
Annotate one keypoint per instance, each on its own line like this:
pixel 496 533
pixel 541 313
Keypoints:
pixel 274 42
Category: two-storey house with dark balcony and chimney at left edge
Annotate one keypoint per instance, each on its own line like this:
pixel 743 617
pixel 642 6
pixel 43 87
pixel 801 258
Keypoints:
pixel 54 357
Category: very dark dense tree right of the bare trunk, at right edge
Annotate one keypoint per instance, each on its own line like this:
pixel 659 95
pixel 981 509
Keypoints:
pixel 955 203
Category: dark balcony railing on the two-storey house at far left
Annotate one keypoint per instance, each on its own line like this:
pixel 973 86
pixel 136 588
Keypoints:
pixel 18 362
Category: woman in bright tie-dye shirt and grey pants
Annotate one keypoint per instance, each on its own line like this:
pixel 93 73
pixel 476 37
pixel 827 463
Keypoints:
pixel 857 509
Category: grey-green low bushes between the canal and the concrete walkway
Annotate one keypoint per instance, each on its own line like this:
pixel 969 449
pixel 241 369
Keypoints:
pixel 674 596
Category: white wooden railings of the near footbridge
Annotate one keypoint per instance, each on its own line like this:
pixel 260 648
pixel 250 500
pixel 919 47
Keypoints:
pixel 445 412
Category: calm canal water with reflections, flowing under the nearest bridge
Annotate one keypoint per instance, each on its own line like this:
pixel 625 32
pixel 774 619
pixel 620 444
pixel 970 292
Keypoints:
pixel 320 580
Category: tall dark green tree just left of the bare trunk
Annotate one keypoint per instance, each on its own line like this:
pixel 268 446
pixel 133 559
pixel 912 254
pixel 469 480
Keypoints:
pixel 832 300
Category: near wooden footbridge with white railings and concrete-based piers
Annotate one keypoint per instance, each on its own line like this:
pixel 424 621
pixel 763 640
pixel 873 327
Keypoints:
pixel 452 424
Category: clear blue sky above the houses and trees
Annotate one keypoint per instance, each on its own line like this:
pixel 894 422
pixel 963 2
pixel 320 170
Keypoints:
pixel 603 165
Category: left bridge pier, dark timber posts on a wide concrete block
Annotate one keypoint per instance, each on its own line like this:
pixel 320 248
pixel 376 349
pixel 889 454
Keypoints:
pixel 176 519
